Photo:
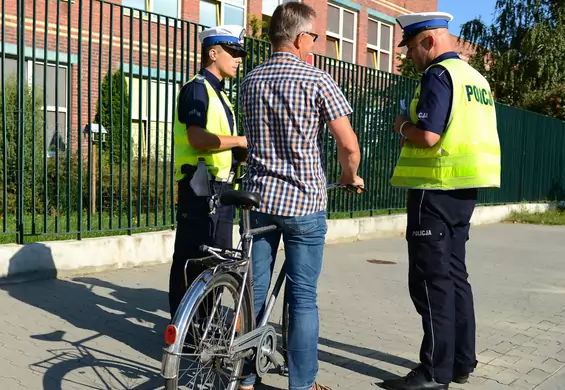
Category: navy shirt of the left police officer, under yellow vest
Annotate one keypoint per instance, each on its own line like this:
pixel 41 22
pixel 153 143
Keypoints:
pixel 193 101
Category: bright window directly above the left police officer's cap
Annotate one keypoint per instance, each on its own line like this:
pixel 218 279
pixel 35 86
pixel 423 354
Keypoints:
pixel 214 13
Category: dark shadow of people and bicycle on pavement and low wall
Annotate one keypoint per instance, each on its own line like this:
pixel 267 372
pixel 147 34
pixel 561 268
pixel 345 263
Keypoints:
pixel 127 315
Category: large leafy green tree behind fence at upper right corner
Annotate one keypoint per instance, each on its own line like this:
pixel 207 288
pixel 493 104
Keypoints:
pixel 524 49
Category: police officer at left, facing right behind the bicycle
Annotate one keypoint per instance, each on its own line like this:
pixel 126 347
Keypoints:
pixel 207 150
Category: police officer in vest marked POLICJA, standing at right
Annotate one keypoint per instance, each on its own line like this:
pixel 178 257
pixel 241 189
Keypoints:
pixel 450 149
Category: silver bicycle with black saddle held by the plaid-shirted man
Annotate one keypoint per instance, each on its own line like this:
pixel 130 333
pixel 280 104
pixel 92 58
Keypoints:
pixel 230 268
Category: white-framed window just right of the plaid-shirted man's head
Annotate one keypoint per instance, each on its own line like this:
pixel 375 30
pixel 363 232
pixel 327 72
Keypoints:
pixel 341 33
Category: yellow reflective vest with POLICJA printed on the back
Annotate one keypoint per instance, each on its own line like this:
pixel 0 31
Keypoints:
pixel 467 154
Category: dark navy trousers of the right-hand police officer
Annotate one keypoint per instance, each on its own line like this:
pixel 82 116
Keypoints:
pixel 437 232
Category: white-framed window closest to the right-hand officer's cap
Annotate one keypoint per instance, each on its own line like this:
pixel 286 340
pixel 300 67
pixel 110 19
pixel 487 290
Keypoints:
pixel 379 45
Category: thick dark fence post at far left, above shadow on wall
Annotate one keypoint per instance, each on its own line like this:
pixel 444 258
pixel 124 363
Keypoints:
pixel 20 125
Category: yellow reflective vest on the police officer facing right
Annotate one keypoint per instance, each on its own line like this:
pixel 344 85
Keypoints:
pixel 219 162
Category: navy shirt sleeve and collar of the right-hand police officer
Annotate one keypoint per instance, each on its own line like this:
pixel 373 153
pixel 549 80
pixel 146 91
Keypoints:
pixel 436 93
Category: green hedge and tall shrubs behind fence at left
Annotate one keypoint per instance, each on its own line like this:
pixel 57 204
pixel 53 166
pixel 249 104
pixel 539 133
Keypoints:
pixel 41 191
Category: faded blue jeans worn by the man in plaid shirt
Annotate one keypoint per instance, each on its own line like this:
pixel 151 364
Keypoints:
pixel 303 239
